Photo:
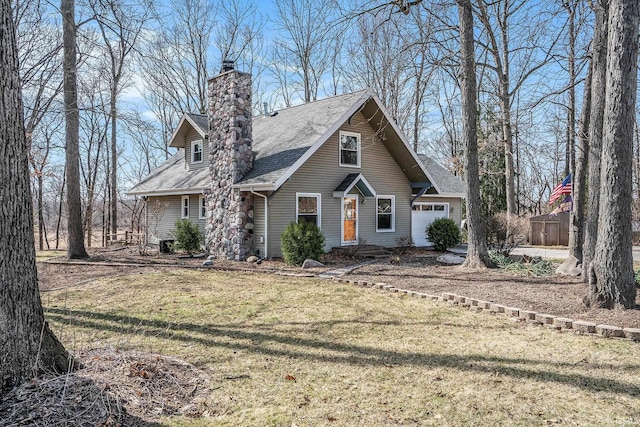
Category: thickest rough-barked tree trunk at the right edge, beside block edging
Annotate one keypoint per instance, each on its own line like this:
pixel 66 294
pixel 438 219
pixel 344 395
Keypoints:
pixel 611 277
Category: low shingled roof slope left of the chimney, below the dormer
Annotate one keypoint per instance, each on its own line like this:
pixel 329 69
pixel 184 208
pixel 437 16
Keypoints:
pixel 172 178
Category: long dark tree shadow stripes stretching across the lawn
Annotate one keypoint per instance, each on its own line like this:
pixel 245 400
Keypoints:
pixel 261 342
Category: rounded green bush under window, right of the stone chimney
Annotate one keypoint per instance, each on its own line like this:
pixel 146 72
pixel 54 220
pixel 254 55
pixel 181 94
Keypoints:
pixel 301 240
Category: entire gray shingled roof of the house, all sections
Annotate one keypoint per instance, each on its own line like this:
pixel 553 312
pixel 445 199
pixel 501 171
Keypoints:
pixel 282 141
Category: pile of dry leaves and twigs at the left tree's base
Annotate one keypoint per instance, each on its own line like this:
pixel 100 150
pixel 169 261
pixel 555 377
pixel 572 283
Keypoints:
pixel 114 388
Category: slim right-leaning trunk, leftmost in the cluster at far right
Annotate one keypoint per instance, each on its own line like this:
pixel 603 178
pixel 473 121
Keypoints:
pixel 576 230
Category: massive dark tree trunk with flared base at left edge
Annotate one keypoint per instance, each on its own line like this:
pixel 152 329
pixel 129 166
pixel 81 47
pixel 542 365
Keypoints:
pixel 28 345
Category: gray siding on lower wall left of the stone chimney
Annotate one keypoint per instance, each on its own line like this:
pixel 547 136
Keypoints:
pixel 168 213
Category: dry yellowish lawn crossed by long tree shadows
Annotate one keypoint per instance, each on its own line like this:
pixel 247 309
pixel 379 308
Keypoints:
pixel 294 351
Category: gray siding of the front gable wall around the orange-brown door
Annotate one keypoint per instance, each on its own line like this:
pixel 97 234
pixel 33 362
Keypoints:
pixel 322 174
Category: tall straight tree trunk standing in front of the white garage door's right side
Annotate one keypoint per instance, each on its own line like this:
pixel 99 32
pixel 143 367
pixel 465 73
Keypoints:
pixel 477 255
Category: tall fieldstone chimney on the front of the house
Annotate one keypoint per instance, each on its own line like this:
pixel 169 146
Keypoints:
pixel 229 229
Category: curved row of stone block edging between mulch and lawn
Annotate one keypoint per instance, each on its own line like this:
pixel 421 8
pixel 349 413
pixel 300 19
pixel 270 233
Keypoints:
pixel 513 313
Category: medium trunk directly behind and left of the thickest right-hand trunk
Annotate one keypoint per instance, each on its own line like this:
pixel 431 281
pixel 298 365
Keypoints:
pixel 596 120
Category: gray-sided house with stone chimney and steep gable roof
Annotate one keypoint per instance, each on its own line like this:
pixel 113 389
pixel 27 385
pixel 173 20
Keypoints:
pixel 340 163
